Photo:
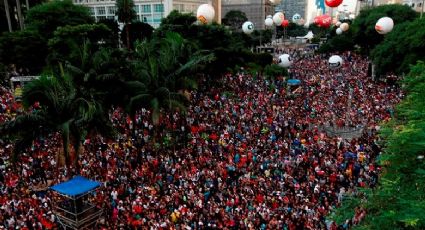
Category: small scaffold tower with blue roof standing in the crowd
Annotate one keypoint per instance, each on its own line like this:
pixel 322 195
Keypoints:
pixel 72 206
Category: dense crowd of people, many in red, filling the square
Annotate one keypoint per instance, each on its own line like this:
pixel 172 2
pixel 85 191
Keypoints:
pixel 251 153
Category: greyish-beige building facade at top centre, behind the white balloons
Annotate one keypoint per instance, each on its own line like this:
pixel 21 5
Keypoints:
pixel 255 10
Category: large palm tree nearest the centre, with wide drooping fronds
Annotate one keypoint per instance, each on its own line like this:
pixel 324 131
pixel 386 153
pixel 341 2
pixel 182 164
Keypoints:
pixel 164 68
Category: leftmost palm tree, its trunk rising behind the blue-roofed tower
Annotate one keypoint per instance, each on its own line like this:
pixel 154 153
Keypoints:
pixel 60 110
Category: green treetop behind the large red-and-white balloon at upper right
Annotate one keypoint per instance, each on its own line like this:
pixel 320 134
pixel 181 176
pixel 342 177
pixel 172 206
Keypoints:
pixel 363 26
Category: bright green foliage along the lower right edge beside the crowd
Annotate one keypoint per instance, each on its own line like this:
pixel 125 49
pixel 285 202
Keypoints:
pixel 399 201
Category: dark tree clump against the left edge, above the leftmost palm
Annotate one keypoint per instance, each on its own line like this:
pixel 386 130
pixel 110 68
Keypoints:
pixel 25 49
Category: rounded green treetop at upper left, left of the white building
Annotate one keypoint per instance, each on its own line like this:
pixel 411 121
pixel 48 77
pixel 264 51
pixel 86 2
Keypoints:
pixel 47 17
